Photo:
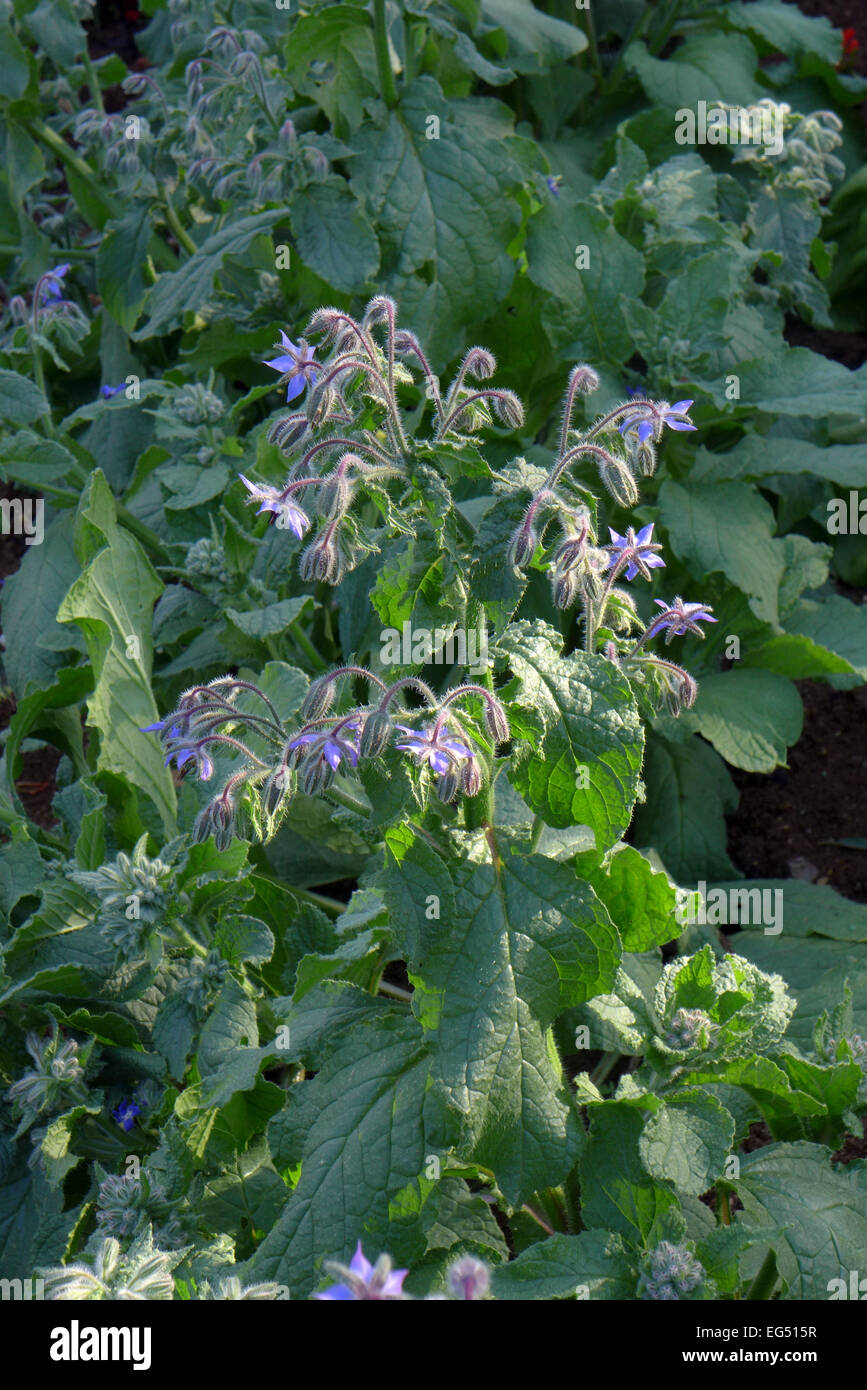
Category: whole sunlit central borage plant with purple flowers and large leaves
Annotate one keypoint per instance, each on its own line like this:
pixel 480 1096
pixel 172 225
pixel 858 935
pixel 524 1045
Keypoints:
pixel 530 932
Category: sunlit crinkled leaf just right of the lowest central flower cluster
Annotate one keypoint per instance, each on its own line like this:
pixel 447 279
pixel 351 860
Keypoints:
pixel 594 735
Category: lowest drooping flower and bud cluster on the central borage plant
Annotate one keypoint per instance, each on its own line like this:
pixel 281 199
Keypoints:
pixel 324 747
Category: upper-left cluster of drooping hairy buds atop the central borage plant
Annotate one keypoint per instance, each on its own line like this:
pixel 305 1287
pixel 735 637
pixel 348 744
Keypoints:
pixel 363 373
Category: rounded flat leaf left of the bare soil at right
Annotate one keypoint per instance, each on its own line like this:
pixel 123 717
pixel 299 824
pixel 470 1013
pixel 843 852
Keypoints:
pixel 752 718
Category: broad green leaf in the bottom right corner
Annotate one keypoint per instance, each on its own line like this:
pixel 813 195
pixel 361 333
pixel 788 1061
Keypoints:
pixel 825 1214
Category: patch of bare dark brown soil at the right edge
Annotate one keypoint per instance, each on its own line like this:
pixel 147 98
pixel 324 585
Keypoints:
pixel 787 818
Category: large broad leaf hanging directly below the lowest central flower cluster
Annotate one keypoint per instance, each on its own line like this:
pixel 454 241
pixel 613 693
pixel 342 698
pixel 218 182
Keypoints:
pixel 526 940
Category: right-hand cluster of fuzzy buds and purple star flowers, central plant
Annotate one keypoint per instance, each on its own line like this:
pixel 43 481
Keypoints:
pixel 586 571
